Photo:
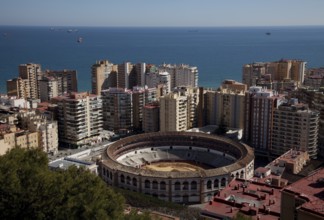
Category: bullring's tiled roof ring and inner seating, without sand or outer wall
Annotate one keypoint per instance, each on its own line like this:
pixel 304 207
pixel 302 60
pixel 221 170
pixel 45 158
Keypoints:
pixel 156 143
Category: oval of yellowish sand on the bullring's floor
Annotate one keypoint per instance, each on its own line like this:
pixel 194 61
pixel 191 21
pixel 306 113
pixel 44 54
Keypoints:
pixel 173 166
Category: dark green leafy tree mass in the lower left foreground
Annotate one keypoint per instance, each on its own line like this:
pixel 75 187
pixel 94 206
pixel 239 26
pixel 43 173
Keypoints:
pixel 29 190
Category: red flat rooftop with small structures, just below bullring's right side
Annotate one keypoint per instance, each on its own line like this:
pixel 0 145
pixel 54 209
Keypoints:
pixel 245 196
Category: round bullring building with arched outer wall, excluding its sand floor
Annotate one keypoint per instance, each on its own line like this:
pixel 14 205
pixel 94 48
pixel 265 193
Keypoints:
pixel 121 166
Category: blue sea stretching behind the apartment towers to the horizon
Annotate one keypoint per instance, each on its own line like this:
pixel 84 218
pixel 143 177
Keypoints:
pixel 218 52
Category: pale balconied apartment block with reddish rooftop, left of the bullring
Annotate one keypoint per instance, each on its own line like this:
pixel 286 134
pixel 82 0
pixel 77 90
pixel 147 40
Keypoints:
pixel 79 118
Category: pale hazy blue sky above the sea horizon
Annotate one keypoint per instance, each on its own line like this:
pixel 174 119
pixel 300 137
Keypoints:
pixel 156 13
